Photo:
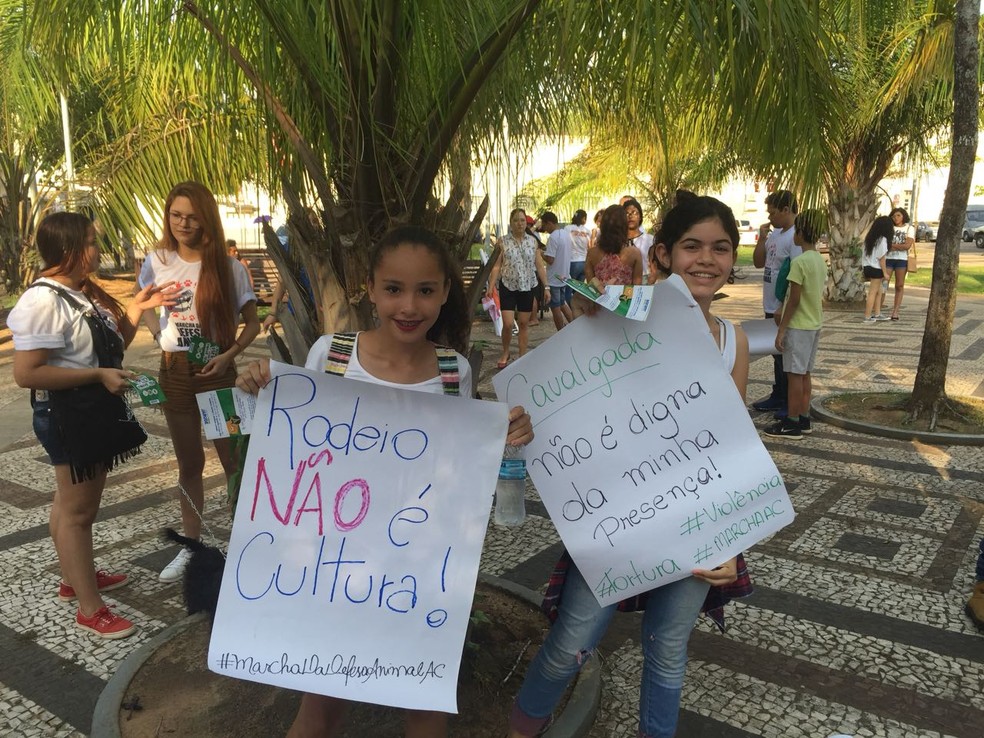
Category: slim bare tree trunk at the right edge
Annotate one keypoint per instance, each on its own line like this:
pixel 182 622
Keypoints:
pixel 929 390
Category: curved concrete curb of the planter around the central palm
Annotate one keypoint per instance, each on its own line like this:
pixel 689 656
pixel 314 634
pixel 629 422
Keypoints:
pixel 574 722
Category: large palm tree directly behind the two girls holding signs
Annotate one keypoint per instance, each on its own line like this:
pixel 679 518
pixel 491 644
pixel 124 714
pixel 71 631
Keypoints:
pixel 362 102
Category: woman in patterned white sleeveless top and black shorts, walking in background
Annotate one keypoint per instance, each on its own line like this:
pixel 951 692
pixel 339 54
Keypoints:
pixel 514 275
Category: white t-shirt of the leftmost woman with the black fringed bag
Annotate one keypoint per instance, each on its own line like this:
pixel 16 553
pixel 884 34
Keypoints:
pixel 42 319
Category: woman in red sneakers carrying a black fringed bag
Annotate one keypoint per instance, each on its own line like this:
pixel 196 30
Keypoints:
pixel 61 352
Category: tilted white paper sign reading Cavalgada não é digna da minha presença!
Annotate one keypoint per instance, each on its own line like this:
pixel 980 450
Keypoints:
pixel 644 456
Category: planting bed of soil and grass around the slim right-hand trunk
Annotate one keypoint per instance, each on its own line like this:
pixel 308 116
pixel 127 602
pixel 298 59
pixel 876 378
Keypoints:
pixel 890 409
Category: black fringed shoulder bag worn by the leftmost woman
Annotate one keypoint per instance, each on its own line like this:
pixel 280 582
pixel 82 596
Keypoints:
pixel 95 426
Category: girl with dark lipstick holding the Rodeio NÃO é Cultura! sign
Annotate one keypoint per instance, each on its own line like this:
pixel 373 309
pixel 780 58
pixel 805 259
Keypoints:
pixel 418 294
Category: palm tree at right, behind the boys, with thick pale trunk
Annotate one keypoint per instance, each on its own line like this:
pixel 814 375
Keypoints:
pixel 892 62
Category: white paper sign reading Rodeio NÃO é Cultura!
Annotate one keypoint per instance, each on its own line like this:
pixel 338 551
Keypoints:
pixel 356 541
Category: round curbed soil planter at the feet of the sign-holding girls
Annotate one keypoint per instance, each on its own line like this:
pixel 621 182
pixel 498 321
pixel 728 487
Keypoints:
pixel 180 697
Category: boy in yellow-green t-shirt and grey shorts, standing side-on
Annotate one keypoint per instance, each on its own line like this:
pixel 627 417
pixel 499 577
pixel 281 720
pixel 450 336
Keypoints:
pixel 799 328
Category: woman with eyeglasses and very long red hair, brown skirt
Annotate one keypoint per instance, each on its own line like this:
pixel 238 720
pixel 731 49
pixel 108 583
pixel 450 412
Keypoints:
pixel 198 337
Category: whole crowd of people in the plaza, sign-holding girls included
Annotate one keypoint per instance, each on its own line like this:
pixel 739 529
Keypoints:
pixel 196 299
